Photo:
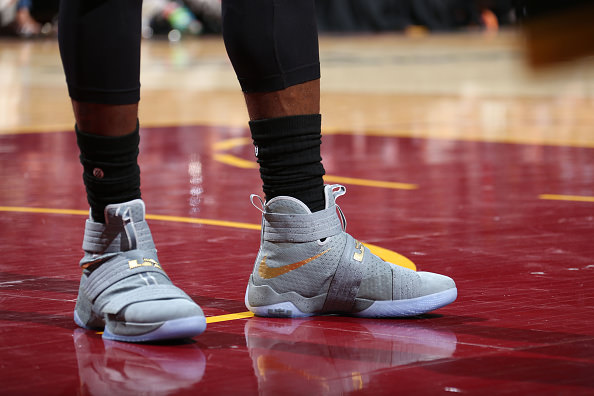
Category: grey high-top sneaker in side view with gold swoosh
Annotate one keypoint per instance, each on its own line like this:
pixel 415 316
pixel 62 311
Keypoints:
pixel 308 265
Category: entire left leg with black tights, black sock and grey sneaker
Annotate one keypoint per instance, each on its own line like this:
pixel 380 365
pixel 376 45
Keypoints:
pixel 123 289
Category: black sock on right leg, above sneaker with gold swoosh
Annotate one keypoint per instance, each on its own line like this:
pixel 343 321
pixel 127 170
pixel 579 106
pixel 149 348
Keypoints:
pixel 288 151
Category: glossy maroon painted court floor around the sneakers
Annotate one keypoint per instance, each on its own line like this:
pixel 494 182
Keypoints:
pixel 523 322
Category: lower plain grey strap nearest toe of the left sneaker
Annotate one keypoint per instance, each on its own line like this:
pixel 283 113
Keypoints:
pixel 114 304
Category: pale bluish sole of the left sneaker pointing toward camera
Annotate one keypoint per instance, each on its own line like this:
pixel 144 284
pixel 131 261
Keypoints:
pixel 170 330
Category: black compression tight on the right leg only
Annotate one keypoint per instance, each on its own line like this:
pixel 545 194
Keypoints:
pixel 272 44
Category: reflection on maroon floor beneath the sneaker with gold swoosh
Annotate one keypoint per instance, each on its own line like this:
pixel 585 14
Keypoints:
pixel 291 356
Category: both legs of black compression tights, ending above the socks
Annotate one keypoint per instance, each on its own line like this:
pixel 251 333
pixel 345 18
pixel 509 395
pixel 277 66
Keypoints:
pixel 272 45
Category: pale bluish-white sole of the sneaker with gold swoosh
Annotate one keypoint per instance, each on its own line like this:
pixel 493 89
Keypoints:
pixel 379 309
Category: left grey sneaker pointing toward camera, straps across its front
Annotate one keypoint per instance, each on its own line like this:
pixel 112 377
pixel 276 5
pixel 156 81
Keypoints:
pixel 123 289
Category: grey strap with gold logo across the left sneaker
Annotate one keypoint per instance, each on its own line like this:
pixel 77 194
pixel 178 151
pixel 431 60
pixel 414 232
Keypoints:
pixel 122 266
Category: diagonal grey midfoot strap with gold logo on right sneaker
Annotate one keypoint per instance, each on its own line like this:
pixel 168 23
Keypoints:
pixel 347 279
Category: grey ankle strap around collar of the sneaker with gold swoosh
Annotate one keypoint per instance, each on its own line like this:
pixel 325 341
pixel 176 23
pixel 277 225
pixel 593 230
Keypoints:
pixel 280 227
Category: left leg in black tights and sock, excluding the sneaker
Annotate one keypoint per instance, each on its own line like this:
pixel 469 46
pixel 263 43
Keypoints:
pixel 100 49
